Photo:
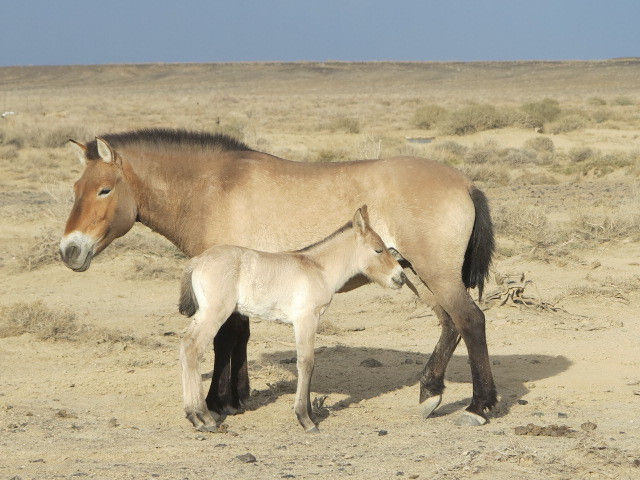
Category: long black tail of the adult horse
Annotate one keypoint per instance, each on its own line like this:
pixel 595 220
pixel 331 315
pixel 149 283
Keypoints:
pixel 477 258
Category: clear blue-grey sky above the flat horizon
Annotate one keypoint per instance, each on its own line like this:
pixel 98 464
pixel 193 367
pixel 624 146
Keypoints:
pixel 62 32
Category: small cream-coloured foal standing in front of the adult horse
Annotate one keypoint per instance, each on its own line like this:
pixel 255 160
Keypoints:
pixel 294 287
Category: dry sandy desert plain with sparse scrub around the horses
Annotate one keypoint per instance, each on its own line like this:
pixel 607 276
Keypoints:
pixel 89 373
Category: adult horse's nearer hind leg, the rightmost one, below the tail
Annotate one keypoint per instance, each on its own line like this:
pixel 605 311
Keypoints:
pixel 469 322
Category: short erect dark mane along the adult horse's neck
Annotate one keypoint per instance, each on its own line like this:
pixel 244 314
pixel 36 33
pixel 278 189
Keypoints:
pixel 169 137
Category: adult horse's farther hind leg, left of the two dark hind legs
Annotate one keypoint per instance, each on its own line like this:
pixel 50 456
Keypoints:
pixel 432 379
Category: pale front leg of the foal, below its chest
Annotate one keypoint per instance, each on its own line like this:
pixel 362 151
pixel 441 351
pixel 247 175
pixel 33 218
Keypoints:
pixel 305 332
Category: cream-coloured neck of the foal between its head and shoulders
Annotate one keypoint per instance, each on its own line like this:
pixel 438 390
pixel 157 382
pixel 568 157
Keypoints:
pixel 336 258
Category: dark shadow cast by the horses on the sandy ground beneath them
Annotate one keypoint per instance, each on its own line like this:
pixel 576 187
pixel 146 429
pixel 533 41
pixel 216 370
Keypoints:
pixel 400 369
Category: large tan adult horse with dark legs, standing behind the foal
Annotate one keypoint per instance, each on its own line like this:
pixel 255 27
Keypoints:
pixel 198 190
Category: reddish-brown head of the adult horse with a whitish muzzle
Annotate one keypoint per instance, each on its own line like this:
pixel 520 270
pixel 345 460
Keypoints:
pixel 104 207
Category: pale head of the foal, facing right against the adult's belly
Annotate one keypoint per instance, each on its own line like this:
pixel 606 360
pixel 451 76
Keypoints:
pixel 376 262
